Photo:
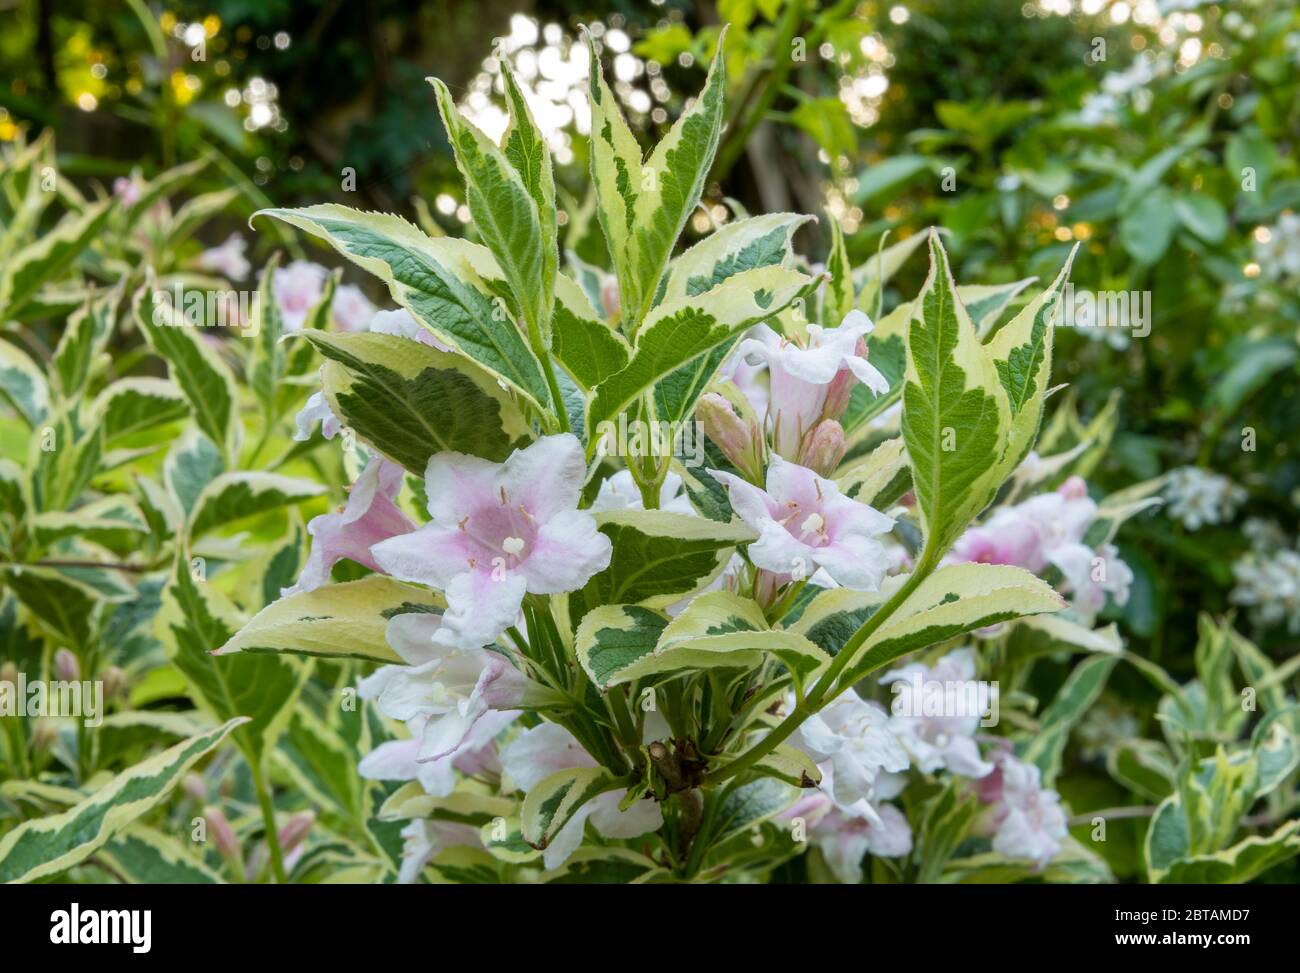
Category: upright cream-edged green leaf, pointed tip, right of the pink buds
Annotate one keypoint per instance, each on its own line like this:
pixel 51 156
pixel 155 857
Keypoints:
pixel 956 417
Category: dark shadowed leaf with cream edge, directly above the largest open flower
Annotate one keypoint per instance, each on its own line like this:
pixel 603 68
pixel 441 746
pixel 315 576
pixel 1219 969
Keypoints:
pixel 410 401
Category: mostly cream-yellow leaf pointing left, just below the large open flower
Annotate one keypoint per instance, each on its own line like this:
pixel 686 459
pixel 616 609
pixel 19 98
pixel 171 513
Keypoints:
pixel 346 621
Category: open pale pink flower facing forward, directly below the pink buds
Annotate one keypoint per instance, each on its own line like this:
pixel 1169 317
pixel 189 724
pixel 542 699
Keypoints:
pixel 805 524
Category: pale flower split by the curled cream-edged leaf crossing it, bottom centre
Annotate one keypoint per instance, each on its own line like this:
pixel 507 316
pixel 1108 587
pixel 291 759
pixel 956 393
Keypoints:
pixel 549 749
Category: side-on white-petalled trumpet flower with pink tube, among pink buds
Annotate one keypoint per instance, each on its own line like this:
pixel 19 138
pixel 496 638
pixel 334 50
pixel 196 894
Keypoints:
pixel 808 378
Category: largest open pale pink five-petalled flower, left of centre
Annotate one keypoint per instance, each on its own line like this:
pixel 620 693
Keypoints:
pixel 497 533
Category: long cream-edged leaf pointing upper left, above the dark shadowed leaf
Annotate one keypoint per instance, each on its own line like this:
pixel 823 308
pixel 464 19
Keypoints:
pixel 439 282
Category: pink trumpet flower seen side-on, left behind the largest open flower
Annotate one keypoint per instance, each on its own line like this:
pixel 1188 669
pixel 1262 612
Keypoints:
pixel 370 517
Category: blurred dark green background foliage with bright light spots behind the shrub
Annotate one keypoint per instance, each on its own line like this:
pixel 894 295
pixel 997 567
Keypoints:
pixel 1159 136
